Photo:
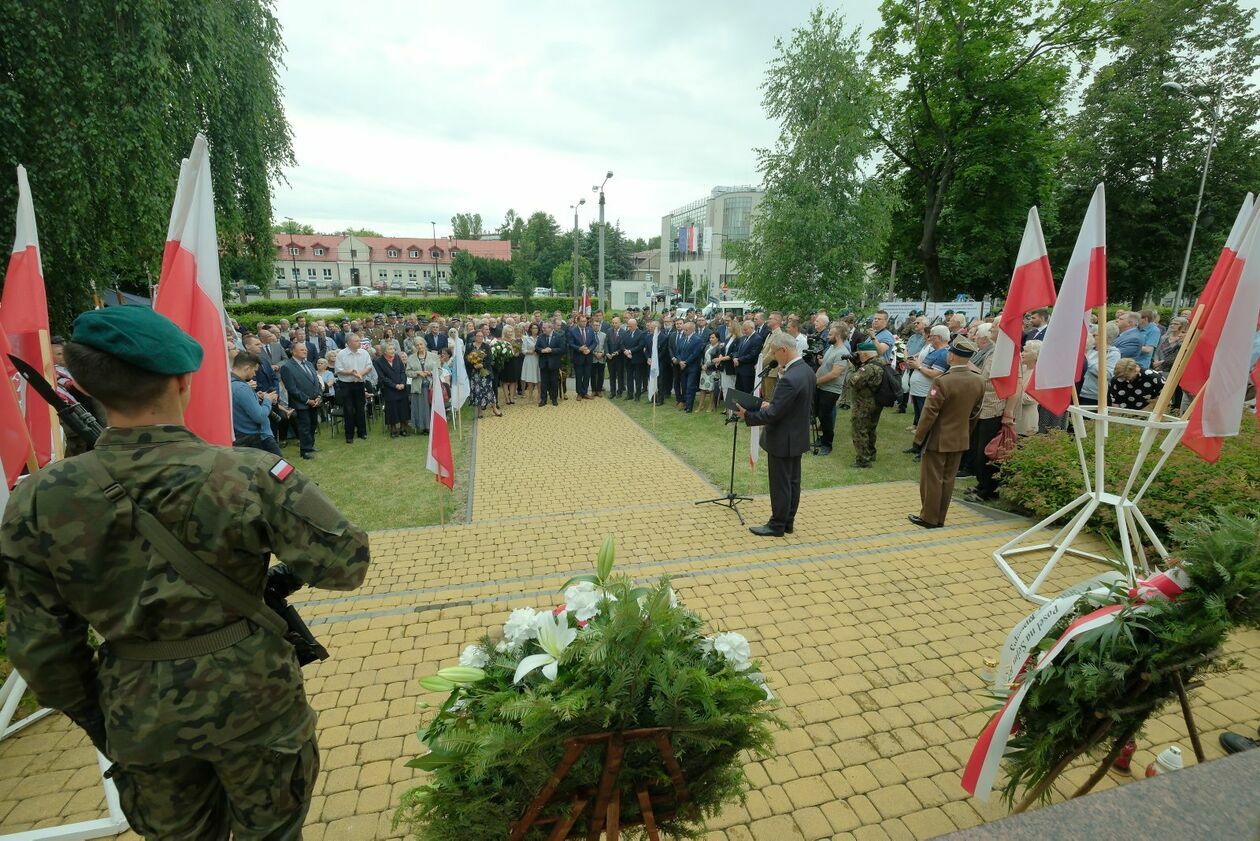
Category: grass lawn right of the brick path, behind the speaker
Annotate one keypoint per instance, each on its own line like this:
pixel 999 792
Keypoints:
pixel 705 442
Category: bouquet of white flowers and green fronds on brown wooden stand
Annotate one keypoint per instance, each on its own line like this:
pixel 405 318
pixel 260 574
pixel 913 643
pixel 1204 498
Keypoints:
pixel 614 658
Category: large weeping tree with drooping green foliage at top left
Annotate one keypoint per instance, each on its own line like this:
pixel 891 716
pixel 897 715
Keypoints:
pixel 101 100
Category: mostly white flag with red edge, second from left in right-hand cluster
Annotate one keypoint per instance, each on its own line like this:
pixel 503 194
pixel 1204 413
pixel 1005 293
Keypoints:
pixel 1084 288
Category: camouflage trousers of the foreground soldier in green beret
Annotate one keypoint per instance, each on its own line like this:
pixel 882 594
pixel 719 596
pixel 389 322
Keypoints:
pixel 254 794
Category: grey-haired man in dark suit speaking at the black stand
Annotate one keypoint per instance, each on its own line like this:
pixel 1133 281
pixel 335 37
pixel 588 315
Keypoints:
pixel 787 438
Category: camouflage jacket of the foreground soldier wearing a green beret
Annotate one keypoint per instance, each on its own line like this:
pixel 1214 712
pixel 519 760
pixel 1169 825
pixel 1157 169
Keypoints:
pixel 72 562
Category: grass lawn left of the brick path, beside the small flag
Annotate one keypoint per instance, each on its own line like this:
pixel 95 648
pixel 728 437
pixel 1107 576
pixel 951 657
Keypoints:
pixel 382 482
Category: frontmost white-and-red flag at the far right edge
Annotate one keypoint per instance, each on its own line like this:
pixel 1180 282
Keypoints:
pixel 1230 326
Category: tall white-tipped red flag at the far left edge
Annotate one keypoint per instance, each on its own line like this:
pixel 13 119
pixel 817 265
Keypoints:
pixel 25 317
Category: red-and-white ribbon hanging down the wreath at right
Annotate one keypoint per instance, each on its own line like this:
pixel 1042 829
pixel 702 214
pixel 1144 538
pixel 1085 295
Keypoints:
pixel 986 760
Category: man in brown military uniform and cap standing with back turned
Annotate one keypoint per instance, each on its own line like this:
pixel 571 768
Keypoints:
pixel 944 432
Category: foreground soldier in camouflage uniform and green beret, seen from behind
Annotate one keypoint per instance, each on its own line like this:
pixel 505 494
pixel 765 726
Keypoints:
pixel 203 713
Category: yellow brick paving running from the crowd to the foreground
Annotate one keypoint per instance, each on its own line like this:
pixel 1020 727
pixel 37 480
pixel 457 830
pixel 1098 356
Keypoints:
pixel 873 634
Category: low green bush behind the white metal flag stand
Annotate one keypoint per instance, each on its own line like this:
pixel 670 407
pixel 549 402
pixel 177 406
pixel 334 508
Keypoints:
pixel 1045 475
